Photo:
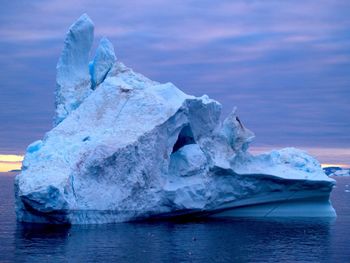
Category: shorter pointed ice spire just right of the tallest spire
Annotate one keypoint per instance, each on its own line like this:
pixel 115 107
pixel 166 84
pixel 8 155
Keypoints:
pixel 102 63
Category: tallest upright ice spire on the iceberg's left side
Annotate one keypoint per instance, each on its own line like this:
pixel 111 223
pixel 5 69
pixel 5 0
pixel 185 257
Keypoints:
pixel 73 78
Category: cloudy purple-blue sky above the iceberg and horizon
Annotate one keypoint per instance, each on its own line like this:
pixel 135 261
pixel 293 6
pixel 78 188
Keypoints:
pixel 284 64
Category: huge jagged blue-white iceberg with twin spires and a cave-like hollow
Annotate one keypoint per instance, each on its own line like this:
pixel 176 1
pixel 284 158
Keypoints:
pixel 128 148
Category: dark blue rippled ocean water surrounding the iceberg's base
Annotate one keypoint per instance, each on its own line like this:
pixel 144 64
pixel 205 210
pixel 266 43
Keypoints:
pixel 239 240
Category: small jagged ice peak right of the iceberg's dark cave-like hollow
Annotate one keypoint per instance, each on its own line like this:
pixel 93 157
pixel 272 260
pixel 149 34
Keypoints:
pixel 236 134
